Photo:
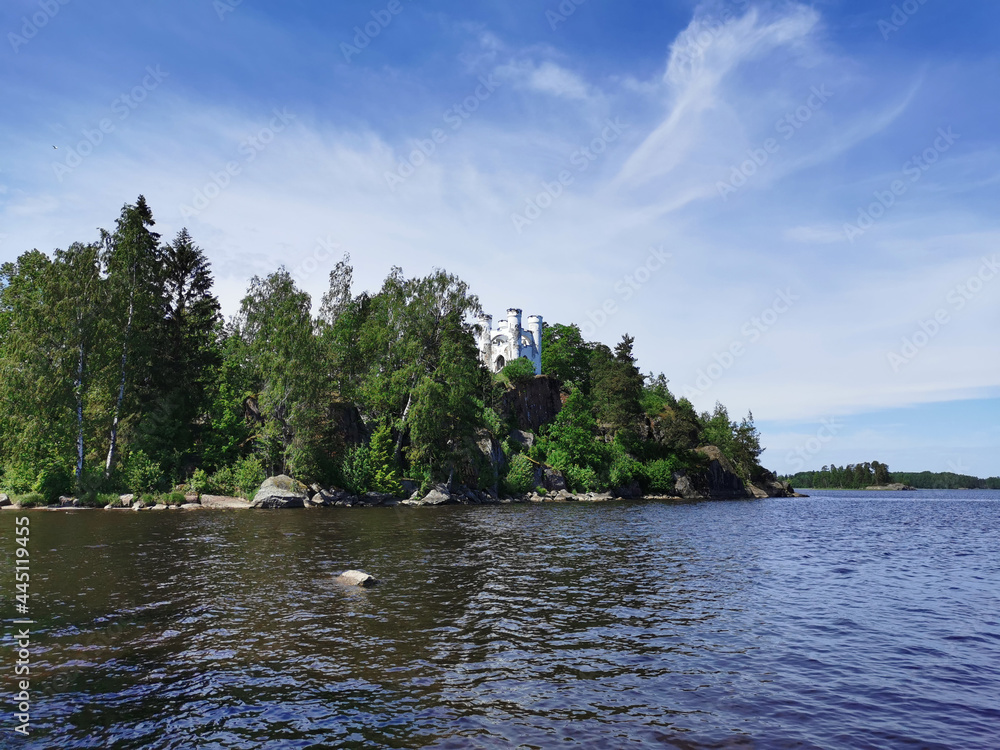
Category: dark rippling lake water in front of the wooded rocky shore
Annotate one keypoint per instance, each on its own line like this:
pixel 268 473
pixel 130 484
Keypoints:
pixel 838 621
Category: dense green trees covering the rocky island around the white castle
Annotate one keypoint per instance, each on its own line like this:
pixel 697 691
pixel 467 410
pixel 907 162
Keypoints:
pixel 117 371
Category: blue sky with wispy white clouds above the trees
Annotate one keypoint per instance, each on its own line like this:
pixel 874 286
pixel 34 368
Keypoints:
pixel 791 206
